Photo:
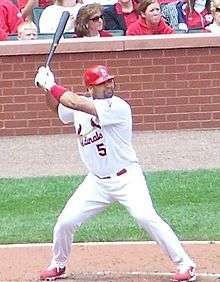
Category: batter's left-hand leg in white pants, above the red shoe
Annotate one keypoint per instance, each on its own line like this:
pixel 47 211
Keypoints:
pixel 86 202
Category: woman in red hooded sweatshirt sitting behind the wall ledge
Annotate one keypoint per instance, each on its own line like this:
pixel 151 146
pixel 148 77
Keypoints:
pixel 150 20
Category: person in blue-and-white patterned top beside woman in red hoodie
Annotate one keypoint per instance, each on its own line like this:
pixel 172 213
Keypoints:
pixel 169 12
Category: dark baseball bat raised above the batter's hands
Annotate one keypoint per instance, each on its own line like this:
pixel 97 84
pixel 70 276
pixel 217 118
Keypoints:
pixel 57 35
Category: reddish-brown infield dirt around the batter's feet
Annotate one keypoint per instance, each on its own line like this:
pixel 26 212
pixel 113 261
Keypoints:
pixel 108 262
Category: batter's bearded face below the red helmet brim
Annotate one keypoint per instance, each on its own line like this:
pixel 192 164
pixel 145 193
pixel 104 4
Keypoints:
pixel 104 90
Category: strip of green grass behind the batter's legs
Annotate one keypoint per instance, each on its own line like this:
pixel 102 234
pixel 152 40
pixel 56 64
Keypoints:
pixel 188 201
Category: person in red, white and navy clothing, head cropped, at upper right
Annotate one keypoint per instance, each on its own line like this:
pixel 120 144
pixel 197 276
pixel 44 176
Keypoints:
pixel 194 14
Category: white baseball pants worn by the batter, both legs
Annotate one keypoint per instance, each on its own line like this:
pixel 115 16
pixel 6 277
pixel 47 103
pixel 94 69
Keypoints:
pixel 94 194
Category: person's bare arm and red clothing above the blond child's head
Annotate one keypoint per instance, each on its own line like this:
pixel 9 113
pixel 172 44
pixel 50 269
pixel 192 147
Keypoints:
pixel 26 6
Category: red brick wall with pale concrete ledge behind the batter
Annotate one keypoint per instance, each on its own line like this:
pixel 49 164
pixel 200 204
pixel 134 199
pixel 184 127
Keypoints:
pixel 170 84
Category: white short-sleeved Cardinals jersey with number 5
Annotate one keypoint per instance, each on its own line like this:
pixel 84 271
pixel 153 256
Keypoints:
pixel 104 142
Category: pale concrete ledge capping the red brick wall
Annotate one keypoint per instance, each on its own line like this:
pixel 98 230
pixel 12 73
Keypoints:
pixel 108 44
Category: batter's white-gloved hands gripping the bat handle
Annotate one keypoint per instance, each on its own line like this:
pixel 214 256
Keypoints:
pixel 44 78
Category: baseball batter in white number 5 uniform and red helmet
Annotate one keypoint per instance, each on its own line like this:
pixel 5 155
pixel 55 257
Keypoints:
pixel 103 123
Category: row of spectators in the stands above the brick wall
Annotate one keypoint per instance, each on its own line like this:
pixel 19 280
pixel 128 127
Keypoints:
pixel 104 17
